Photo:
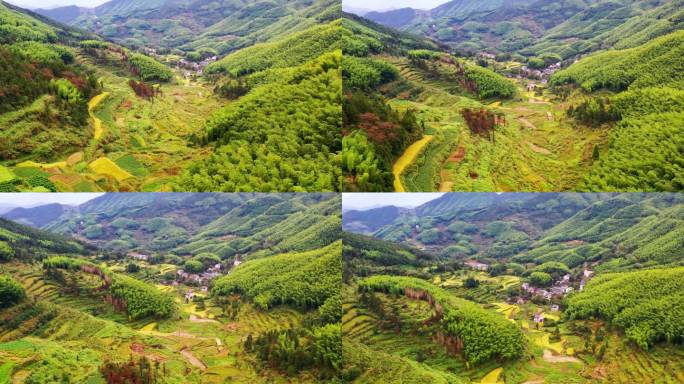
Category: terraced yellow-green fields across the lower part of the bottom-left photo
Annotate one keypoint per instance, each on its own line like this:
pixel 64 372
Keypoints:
pixel 79 331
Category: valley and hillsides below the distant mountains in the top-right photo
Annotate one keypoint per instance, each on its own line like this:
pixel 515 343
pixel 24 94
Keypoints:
pixel 498 121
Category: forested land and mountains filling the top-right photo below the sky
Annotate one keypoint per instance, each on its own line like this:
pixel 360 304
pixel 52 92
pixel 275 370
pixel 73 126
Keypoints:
pixel 519 96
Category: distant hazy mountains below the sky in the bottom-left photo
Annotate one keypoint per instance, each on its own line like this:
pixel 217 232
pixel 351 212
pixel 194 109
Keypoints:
pixel 229 225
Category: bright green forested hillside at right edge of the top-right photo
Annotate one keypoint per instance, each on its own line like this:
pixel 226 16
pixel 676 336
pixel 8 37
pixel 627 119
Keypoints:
pixel 645 147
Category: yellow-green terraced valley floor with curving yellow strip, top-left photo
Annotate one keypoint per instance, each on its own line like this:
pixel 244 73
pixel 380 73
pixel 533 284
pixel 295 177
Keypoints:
pixel 136 144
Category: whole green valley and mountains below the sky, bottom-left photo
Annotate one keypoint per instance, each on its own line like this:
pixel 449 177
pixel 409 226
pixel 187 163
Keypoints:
pixel 102 302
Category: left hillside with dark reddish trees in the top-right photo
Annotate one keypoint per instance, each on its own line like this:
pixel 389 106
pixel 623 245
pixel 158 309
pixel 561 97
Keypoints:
pixel 387 100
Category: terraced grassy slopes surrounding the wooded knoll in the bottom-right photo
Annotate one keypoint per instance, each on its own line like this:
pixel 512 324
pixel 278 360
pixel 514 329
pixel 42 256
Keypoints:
pixel 368 342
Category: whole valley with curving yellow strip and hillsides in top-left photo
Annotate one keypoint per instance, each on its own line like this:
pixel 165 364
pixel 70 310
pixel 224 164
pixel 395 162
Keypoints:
pixel 106 113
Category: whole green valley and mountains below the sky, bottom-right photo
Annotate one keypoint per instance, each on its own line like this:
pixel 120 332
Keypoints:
pixel 565 284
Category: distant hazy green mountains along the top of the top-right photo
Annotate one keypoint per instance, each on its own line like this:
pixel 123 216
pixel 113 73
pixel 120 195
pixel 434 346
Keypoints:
pixel 536 27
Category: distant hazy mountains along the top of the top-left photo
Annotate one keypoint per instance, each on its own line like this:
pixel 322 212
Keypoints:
pixel 188 25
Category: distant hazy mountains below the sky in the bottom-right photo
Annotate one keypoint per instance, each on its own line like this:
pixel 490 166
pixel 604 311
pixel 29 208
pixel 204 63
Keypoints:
pixel 621 231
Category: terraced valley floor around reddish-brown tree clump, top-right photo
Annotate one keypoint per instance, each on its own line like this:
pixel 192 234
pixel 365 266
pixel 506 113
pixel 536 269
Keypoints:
pixel 537 150
